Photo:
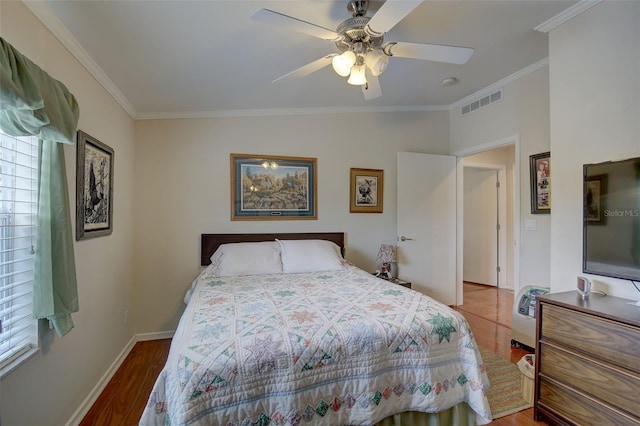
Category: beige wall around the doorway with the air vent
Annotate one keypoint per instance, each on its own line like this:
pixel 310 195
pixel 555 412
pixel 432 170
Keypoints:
pixel 524 113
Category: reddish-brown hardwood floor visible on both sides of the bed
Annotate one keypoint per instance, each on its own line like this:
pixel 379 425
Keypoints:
pixel 487 309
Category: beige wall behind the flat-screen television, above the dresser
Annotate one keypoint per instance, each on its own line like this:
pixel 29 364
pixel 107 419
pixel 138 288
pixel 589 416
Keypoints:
pixel 595 116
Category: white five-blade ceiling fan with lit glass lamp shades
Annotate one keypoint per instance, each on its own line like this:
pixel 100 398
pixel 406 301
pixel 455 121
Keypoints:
pixel 360 39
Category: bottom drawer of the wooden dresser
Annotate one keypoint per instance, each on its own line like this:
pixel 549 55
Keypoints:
pixel 578 408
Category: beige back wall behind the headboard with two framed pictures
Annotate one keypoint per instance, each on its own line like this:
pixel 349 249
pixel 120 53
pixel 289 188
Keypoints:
pixel 182 188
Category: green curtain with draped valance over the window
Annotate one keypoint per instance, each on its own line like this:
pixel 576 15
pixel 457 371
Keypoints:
pixel 33 103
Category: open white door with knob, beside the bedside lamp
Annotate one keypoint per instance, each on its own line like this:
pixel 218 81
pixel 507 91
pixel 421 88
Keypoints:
pixel 427 224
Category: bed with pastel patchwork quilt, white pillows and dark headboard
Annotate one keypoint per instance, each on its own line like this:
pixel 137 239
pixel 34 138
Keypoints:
pixel 280 329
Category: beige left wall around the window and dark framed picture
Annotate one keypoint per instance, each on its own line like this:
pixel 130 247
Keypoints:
pixel 49 387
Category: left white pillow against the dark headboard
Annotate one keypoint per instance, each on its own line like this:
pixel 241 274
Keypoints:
pixel 247 259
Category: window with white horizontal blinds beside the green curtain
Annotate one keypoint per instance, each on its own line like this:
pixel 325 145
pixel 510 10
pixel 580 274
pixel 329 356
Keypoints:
pixel 18 212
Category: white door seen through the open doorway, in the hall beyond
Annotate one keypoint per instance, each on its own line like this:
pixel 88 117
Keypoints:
pixel 480 260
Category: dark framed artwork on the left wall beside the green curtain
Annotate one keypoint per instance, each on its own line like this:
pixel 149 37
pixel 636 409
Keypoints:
pixel 94 187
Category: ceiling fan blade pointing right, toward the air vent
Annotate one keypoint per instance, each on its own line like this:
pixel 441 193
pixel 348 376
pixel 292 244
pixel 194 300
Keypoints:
pixel 429 52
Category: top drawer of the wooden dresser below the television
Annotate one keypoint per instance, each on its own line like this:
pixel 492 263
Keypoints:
pixel 614 342
